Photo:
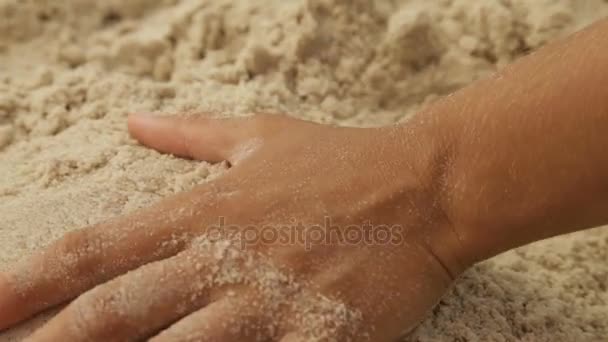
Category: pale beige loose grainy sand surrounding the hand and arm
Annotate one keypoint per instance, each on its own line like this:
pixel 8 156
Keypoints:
pixel 70 71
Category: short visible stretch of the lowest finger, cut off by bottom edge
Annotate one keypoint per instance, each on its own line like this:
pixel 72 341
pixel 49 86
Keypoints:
pixel 226 320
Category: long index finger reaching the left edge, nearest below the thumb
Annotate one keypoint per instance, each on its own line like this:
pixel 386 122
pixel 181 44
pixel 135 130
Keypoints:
pixel 87 257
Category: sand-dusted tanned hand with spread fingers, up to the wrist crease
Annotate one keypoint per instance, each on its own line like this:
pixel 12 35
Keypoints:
pixel 241 257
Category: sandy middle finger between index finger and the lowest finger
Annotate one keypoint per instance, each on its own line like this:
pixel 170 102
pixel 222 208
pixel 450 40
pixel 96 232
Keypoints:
pixel 135 305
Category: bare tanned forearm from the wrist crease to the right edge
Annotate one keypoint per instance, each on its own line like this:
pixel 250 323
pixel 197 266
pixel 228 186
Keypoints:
pixel 524 154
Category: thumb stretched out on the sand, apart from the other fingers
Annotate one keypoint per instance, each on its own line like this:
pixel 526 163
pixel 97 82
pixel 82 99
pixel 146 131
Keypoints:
pixel 195 137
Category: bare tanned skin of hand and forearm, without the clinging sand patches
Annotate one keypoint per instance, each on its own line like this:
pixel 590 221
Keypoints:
pixel 507 161
